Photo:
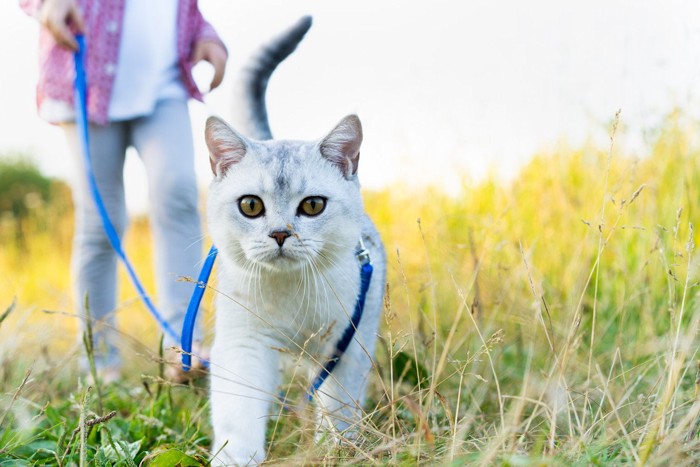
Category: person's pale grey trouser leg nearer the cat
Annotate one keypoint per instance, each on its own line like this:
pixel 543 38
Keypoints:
pixel 164 142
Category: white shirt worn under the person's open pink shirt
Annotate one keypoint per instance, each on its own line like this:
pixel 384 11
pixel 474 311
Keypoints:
pixel 147 70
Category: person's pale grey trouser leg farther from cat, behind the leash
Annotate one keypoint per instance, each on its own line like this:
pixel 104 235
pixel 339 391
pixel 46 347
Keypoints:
pixel 94 262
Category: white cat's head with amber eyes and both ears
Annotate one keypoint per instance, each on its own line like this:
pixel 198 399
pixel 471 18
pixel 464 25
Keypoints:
pixel 284 205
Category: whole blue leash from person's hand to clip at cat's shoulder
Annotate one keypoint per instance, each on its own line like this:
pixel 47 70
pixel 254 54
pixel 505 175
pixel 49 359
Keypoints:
pixel 362 254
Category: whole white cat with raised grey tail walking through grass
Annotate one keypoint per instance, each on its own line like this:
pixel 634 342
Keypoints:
pixel 287 217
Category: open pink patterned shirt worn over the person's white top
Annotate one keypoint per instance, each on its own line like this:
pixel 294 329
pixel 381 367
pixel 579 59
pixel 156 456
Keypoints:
pixel 103 26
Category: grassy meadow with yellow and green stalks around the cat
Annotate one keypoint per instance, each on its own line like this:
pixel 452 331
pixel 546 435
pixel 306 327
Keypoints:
pixel 548 320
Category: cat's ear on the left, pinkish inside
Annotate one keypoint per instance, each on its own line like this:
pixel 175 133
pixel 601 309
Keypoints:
pixel 226 146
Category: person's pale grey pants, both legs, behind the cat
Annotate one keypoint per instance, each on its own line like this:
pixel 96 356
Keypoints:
pixel 163 141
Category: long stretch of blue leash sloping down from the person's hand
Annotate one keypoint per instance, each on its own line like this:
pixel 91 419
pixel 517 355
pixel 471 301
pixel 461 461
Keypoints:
pixel 82 122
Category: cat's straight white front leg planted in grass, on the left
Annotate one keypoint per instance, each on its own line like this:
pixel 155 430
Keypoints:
pixel 244 377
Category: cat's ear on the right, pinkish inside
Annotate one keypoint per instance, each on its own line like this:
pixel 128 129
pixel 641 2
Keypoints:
pixel 342 145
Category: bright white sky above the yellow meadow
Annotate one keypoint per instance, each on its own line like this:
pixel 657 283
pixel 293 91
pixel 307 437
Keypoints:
pixel 447 90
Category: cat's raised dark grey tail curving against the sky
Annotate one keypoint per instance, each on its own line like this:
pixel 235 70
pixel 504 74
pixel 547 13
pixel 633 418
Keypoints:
pixel 251 111
